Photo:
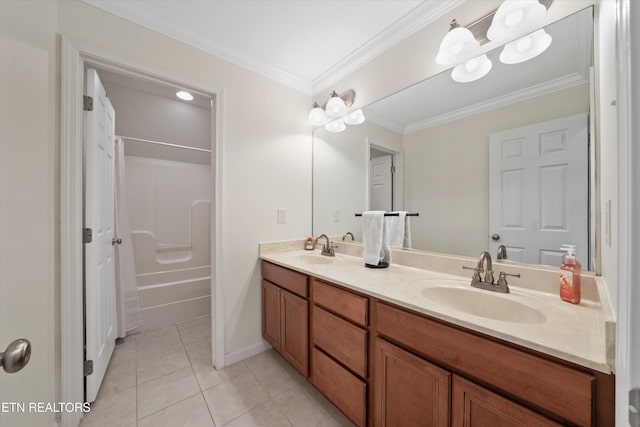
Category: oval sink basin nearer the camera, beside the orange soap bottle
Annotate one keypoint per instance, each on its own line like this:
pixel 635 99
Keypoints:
pixel 484 304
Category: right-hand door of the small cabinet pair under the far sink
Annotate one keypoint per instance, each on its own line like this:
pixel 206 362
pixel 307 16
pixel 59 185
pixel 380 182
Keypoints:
pixel 294 332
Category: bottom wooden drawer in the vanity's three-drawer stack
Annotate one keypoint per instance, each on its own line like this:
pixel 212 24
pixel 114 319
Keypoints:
pixel 340 386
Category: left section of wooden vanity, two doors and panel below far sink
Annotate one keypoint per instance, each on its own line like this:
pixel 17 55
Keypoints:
pixel 285 314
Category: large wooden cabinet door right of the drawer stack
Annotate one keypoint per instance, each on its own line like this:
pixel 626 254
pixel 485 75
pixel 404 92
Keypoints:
pixel 409 391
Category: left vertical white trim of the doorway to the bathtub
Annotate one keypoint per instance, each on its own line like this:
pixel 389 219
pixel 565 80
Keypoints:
pixel 71 322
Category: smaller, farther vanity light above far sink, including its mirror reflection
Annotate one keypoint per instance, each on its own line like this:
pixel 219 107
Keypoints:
pixel 334 114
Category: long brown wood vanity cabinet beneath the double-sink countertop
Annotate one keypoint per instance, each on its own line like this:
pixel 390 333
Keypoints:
pixel 384 365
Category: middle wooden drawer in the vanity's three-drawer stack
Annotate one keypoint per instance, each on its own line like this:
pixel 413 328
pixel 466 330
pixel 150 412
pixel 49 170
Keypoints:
pixel 344 341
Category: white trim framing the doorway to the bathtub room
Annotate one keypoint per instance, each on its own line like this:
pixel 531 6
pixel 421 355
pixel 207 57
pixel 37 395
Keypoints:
pixel 72 62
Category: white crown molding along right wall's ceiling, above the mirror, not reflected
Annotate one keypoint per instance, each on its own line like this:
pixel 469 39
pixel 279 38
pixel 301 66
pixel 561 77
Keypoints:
pixel 417 19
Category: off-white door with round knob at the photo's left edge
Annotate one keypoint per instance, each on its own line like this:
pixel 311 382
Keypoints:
pixel 27 229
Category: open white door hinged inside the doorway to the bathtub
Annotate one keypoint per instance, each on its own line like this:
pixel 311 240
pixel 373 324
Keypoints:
pixel 100 292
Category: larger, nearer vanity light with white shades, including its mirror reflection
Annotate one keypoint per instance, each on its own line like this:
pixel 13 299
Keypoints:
pixel 512 19
